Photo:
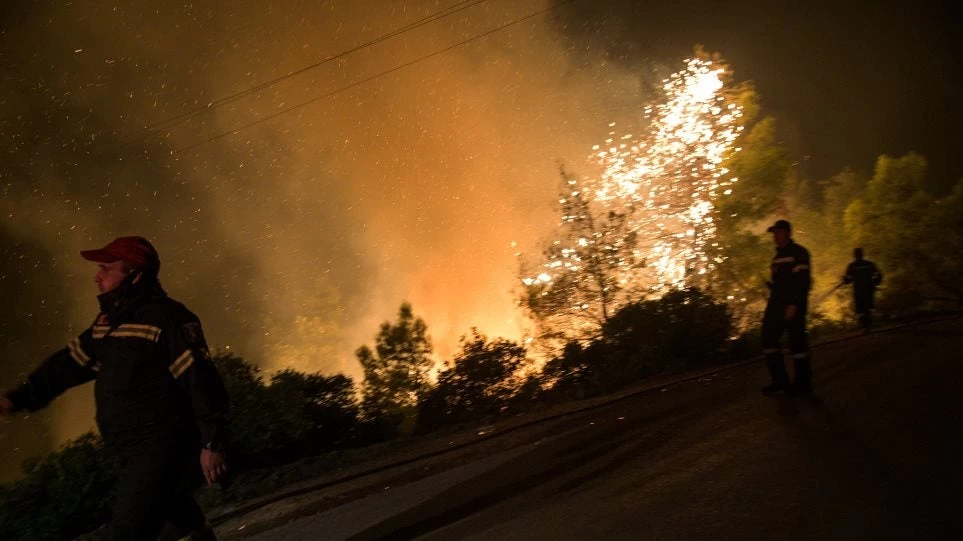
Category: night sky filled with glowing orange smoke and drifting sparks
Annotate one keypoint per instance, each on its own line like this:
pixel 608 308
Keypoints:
pixel 294 238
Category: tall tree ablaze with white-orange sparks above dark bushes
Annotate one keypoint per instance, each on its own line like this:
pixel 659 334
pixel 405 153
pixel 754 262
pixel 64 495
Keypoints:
pixel 648 223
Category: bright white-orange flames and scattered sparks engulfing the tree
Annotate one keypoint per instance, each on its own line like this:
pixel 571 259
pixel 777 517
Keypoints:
pixel 665 183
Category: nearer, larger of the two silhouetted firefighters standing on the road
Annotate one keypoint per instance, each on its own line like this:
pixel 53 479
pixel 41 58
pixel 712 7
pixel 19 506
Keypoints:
pixel 786 312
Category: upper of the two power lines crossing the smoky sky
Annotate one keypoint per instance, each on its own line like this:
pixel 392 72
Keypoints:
pixel 176 120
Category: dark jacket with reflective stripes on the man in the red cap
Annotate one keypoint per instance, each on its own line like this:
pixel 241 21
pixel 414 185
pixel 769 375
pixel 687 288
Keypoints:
pixel 154 379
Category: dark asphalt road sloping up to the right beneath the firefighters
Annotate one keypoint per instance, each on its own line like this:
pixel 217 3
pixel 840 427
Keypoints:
pixel 877 453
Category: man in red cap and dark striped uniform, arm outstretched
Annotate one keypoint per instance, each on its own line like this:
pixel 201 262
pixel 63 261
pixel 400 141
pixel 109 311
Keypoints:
pixel 160 401
